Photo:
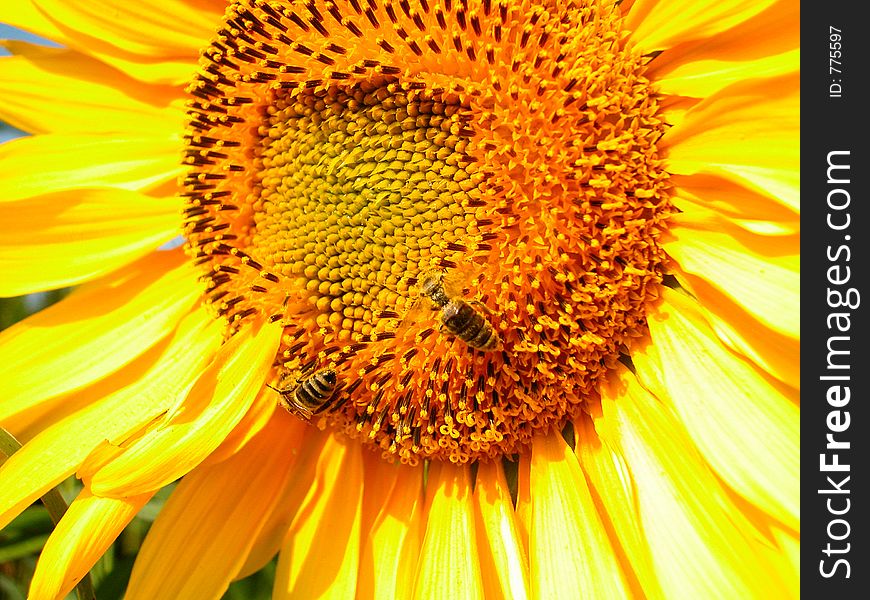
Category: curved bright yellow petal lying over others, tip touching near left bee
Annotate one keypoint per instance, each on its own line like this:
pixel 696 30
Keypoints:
pixel 194 428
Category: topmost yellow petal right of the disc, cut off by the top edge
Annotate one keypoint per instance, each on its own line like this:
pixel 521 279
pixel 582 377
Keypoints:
pixel 660 24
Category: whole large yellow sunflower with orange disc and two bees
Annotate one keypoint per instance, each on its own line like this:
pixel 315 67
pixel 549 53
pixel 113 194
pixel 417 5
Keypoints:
pixel 475 298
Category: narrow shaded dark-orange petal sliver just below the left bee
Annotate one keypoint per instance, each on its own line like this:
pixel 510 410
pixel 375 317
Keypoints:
pixel 277 523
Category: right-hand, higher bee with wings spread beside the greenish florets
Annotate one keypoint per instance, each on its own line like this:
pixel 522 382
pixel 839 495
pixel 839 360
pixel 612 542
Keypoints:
pixel 458 316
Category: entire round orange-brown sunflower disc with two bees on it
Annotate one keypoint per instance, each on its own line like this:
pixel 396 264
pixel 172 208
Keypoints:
pixel 452 208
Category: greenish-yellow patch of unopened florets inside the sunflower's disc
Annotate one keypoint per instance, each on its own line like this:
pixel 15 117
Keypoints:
pixel 362 187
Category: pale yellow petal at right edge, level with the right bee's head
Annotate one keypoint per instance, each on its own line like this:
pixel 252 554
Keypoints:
pixel 761 274
